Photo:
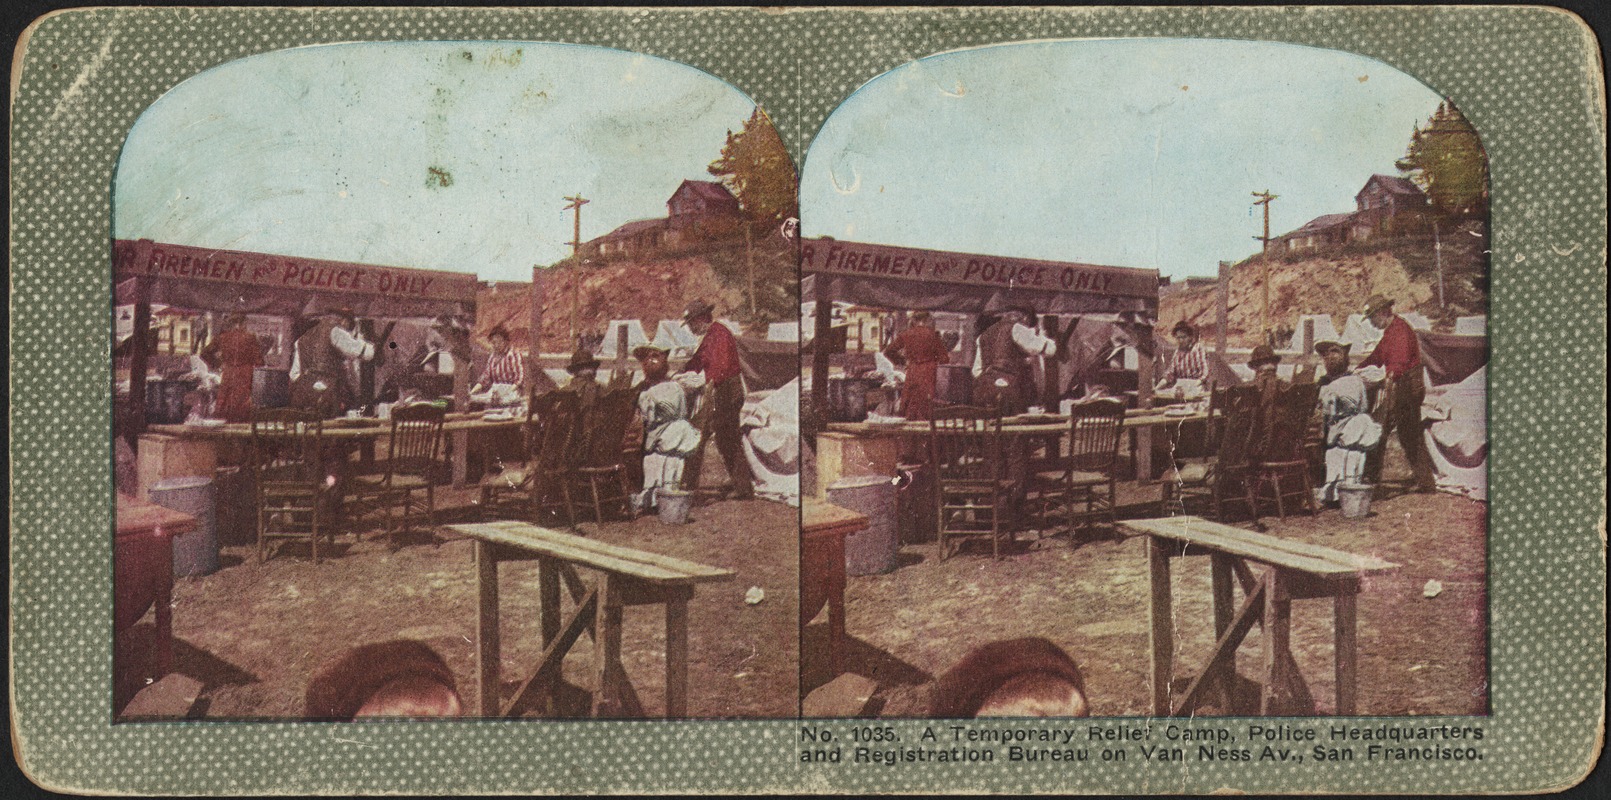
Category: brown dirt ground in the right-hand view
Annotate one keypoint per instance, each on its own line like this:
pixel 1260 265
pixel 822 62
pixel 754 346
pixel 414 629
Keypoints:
pixel 1418 656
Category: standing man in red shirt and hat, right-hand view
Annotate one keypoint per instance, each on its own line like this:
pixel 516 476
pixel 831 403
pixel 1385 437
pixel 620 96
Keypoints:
pixel 1399 403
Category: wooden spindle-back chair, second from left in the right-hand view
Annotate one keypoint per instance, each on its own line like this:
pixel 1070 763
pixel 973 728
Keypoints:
pixel 1090 472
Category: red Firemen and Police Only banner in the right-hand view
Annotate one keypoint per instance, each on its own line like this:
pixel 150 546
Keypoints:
pixel 851 258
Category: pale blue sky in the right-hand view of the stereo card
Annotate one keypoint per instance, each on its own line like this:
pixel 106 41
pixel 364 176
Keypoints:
pixel 1137 154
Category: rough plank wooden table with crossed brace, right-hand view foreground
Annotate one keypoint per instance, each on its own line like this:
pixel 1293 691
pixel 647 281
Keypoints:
pixel 1294 572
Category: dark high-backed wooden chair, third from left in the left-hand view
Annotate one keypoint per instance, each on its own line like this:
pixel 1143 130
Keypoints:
pixel 540 484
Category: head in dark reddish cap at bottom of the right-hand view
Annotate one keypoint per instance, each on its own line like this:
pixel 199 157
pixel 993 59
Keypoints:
pixel 1025 677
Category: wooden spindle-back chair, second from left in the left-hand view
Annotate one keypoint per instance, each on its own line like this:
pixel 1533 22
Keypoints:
pixel 413 466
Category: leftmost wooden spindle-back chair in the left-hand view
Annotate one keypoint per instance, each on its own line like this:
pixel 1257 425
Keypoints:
pixel 286 461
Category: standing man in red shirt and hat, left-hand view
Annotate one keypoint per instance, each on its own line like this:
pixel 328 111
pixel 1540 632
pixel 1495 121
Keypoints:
pixel 718 360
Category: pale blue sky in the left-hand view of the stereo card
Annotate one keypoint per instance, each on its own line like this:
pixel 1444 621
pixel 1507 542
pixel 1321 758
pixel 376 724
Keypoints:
pixel 326 152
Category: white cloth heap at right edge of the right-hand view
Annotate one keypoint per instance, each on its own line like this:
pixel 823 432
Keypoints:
pixel 1457 435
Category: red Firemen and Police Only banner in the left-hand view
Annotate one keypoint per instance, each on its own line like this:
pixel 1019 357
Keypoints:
pixel 146 258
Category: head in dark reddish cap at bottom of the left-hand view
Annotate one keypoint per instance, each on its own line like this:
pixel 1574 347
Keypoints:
pixel 397 678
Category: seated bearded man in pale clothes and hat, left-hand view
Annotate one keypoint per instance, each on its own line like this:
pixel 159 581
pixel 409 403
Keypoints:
pixel 668 434
